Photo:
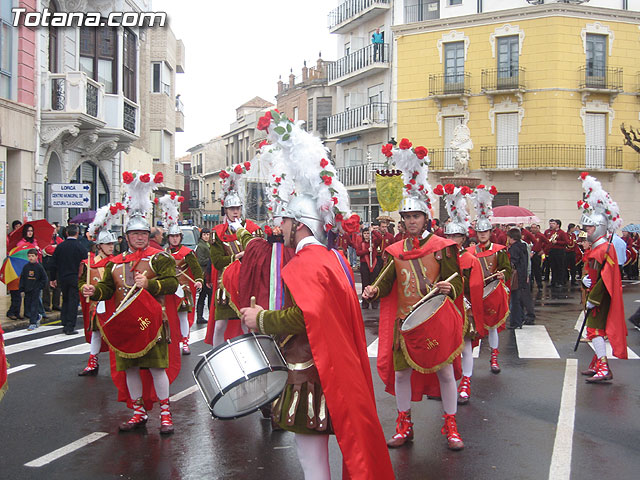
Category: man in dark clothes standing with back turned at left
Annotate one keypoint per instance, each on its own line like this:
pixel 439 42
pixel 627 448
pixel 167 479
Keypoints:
pixel 66 264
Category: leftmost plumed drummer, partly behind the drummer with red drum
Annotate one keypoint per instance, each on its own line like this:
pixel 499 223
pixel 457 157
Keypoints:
pixel 105 242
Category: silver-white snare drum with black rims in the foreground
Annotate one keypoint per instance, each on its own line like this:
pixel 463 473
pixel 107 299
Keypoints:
pixel 241 375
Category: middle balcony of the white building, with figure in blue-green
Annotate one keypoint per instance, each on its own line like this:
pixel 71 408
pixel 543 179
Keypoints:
pixel 360 64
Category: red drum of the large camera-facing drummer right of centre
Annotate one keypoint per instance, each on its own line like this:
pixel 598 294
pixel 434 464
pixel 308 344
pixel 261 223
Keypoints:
pixel 431 336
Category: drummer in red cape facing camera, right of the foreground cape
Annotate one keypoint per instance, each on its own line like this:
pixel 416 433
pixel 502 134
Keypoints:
pixel 423 263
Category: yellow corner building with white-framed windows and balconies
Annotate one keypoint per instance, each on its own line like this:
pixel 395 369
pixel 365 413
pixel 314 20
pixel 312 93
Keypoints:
pixel 543 90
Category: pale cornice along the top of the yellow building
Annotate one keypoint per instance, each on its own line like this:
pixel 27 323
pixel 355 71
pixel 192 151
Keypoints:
pixel 516 14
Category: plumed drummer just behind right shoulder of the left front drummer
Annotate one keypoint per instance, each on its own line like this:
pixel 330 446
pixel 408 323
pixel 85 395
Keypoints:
pixel 189 273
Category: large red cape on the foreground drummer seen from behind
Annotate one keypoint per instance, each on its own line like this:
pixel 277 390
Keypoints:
pixel 318 282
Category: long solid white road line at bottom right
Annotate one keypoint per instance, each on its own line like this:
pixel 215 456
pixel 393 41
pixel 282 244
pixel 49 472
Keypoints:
pixel 560 468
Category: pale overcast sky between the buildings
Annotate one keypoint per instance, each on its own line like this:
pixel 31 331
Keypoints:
pixel 235 50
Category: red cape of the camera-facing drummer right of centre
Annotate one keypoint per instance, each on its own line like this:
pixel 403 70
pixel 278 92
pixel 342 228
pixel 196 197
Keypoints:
pixel 421 384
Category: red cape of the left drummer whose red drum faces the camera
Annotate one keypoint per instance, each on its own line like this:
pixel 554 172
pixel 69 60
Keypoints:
pixel 148 391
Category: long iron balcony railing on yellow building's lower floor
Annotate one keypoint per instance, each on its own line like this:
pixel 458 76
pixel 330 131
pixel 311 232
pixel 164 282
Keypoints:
pixel 551 157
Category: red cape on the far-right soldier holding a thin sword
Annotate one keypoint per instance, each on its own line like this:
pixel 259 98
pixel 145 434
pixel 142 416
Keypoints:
pixel 616 328
